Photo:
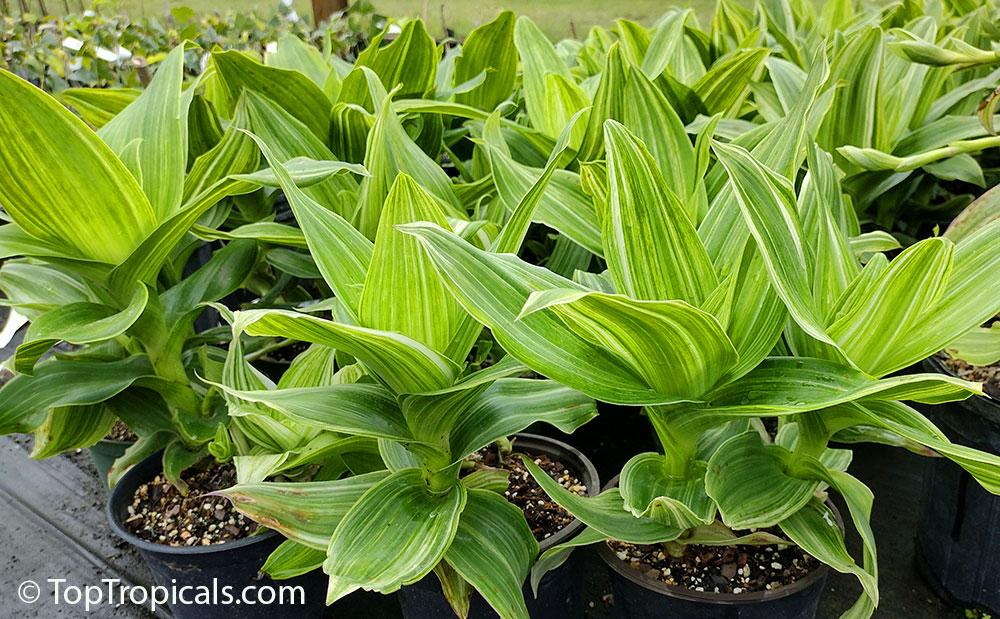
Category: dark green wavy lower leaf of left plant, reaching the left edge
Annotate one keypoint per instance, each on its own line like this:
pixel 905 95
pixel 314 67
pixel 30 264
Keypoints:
pixel 25 400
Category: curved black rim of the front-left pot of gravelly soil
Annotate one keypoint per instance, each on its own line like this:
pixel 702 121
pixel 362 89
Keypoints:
pixel 144 472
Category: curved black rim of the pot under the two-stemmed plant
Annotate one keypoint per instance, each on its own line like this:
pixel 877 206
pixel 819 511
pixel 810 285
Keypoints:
pixel 710 597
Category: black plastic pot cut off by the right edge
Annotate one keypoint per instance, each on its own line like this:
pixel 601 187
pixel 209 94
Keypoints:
pixel 958 540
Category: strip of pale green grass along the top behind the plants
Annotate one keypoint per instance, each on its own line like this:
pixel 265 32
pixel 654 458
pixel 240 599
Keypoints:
pixel 556 18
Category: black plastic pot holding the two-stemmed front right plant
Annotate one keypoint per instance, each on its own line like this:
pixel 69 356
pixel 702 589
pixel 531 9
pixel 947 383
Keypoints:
pixel 639 597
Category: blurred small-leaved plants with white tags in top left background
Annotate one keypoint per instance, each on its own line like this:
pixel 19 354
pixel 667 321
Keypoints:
pixel 105 46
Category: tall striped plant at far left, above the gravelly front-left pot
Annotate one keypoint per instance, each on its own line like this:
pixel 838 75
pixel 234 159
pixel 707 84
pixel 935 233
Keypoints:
pixel 104 245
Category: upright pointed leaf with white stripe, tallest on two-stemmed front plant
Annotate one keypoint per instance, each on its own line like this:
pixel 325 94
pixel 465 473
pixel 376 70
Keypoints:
pixel 651 245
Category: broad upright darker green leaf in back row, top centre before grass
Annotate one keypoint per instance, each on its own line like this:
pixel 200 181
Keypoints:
pixel 488 48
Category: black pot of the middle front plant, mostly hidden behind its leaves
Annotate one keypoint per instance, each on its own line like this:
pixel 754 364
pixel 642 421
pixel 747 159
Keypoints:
pixel 559 592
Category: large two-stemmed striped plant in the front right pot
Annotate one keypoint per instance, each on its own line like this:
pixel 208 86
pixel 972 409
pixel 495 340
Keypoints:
pixel 664 304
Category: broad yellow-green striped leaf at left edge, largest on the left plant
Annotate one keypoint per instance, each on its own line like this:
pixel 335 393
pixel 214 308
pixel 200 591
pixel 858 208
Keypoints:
pixel 104 224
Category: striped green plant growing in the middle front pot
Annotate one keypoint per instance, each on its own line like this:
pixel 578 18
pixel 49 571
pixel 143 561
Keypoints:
pixel 390 528
